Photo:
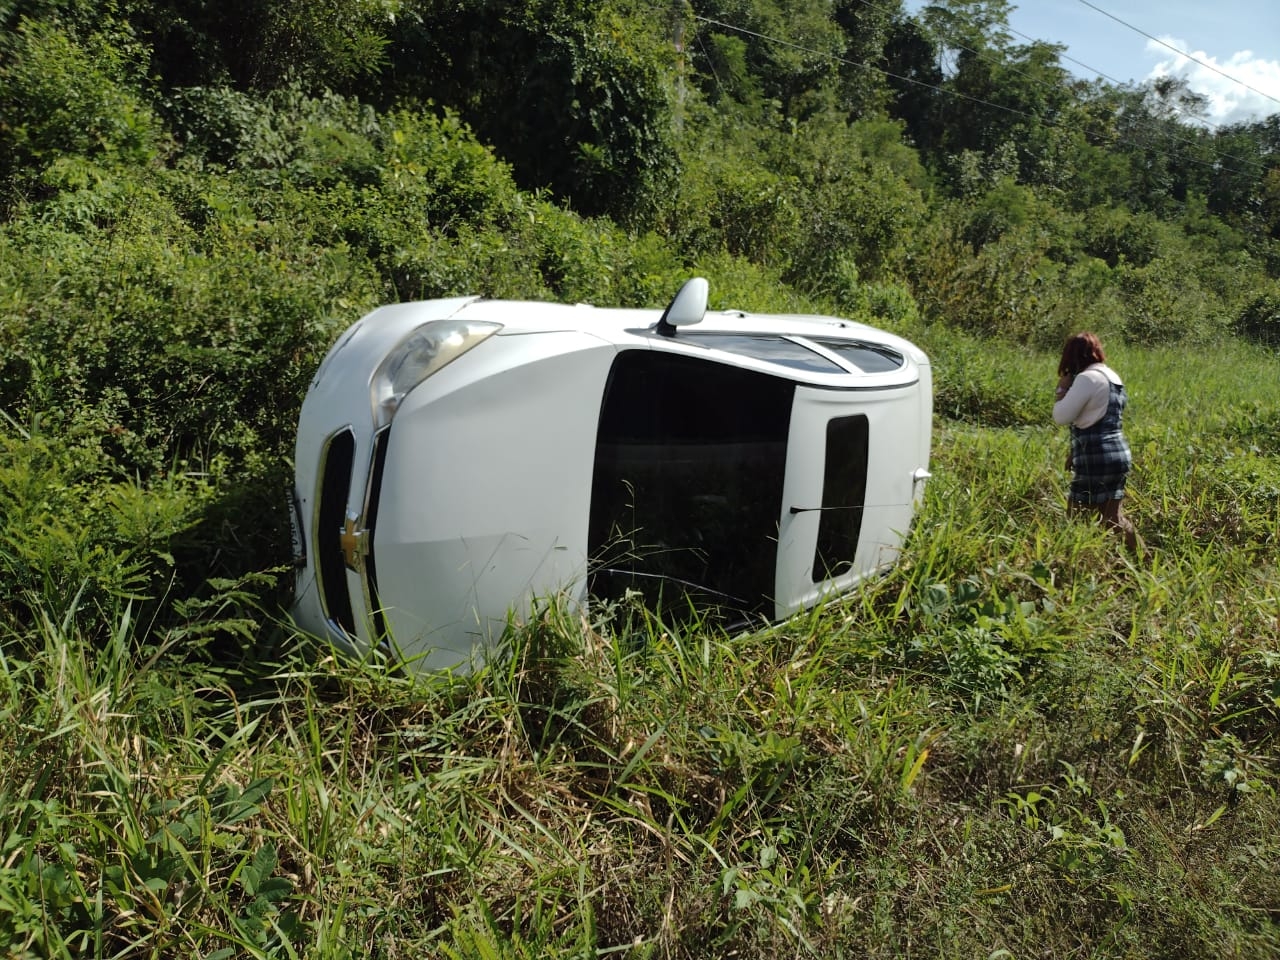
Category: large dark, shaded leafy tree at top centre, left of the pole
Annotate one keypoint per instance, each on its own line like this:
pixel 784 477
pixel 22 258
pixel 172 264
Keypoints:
pixel 578 97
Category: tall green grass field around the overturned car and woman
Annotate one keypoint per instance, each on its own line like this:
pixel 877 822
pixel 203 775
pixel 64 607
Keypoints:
pixel 1021 743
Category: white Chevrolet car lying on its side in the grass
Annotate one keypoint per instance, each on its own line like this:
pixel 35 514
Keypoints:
pixel 459 460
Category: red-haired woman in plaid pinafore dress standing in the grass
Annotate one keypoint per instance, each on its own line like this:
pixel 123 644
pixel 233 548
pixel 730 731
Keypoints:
pixel 1091 399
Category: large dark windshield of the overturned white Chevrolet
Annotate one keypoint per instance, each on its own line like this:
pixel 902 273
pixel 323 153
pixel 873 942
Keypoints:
pixel 687 492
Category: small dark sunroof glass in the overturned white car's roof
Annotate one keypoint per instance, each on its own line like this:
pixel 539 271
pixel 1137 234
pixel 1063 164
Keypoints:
pixel 844 492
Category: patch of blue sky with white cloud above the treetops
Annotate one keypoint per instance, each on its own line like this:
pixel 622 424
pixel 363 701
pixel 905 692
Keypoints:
pixel 1236 43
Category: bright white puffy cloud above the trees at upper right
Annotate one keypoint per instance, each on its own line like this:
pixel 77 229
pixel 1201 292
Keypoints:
pixel 1241 89
